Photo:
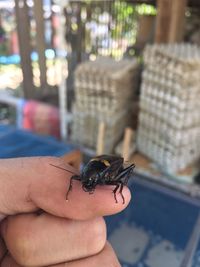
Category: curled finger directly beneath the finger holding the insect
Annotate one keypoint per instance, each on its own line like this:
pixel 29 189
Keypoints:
pixel 44 240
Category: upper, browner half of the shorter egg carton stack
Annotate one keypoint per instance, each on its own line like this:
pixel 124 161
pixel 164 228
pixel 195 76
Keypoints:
pixel 105 84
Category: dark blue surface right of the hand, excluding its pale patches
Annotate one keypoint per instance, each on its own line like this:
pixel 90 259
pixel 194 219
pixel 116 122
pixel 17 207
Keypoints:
pixel 161 216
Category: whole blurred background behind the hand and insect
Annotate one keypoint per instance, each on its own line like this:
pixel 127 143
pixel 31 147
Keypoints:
pixel 85 78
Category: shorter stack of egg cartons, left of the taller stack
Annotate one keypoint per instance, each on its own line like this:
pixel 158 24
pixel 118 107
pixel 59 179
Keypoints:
pixel 103 92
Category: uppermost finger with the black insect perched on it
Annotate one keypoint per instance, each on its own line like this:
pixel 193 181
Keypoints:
pixel 28 184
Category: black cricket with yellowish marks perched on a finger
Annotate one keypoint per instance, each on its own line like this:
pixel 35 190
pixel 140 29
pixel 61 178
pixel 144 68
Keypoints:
pixel 103 170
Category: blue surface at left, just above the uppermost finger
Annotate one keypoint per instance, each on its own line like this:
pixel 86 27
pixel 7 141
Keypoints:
pixel 20 143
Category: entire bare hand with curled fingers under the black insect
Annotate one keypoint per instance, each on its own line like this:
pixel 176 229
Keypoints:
pixel 40 228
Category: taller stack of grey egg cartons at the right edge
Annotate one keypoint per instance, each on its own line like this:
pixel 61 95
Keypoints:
pixel 169 120
